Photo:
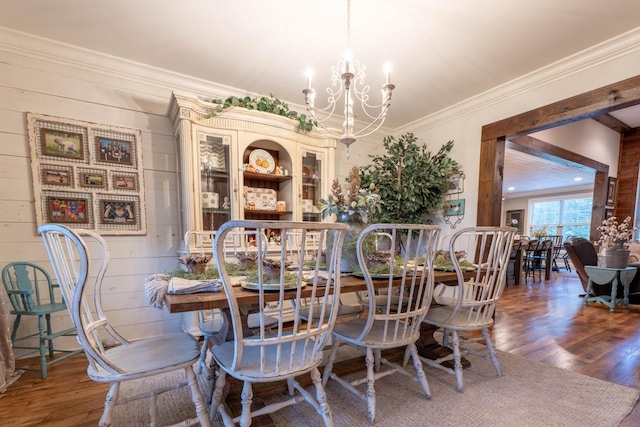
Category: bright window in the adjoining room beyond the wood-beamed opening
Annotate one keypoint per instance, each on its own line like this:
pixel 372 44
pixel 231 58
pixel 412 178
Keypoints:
pixel 567 216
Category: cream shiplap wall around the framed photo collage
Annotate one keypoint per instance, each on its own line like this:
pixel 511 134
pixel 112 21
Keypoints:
pixel 76 91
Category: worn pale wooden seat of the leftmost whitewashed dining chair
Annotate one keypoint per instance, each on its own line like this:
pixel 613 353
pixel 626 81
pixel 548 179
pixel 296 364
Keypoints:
pixel 150 355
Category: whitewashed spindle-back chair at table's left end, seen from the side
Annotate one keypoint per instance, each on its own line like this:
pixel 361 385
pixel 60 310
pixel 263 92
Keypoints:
pixel 80 274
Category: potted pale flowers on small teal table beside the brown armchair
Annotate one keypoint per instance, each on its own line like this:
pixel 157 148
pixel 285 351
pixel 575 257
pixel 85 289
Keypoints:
pixel 613 237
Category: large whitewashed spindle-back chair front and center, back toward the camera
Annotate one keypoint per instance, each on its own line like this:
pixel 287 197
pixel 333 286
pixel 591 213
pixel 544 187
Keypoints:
pixel 294 348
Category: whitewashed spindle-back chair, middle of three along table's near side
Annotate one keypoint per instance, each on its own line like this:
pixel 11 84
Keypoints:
pixel 407 282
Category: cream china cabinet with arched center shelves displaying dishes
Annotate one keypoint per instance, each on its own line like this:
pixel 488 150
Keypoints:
pixel 247 164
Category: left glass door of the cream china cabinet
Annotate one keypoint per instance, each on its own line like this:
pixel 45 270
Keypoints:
pixel 215 187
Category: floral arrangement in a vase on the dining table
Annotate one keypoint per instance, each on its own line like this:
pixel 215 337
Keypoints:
pixel 351 206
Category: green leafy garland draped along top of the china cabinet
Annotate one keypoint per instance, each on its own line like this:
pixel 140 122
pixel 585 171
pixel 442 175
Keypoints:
pixel 268 104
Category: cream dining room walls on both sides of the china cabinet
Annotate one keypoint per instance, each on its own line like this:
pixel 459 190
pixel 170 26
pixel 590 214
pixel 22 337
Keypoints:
pixel 55 79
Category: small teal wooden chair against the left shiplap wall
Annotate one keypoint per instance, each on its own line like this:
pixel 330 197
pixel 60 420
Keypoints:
pixel 31 293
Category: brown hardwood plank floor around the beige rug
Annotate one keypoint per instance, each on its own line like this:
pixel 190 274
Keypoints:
pixel 543 321
